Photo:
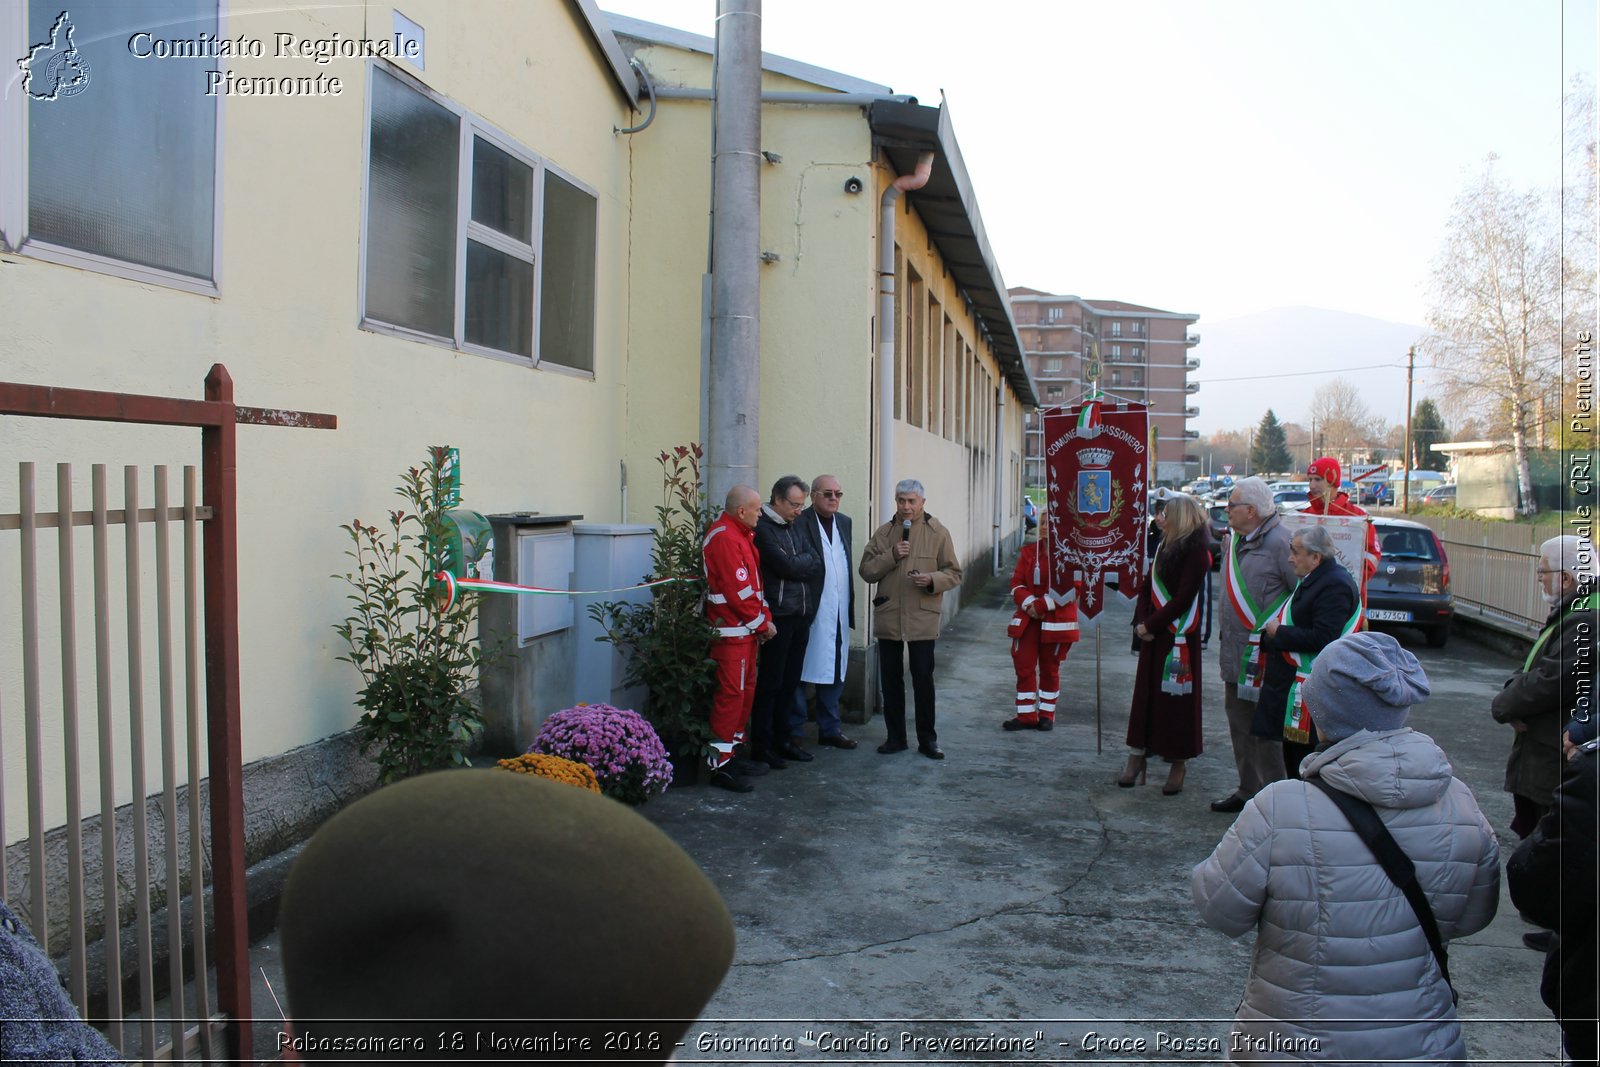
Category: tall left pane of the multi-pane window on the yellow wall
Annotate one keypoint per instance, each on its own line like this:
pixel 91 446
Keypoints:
pixel 412 210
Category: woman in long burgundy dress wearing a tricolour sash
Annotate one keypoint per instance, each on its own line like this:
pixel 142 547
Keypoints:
pixel 1166 714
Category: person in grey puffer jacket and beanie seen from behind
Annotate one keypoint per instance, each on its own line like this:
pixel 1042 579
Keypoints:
pixel 1342 969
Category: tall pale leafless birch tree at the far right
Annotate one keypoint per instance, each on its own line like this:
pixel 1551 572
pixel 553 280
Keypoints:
pixel 1498 310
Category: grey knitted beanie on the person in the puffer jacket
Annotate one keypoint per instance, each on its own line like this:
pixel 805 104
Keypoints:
pixel 1364 682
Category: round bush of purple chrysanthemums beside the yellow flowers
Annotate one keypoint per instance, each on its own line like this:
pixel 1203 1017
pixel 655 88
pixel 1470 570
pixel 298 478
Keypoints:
pixel 615 743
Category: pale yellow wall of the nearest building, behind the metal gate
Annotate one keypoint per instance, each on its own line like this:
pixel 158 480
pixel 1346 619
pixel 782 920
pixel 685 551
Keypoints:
pixel 287 327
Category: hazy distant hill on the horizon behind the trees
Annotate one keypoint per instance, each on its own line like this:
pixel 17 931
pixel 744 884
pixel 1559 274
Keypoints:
pixel 1260 351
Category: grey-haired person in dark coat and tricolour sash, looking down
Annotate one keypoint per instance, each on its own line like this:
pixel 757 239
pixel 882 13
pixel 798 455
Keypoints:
pixel 1324 607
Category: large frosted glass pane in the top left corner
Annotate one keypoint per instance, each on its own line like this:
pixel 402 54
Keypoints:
pixel 126 167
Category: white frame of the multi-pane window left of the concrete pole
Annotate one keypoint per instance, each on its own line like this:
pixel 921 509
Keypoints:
pixel 471 126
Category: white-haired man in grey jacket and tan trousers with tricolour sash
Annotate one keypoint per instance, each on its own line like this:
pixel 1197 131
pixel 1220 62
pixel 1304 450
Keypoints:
pixel 1257 580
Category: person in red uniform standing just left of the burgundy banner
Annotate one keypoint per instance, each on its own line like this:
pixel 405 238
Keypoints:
pixel 1044 628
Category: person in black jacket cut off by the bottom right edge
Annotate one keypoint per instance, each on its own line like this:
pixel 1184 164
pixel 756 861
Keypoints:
pixel 1553 881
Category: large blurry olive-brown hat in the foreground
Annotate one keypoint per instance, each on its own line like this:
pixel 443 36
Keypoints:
pixel 486 914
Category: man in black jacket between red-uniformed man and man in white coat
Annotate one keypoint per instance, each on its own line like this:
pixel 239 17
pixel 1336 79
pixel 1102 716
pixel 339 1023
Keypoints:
pixel 790 565
